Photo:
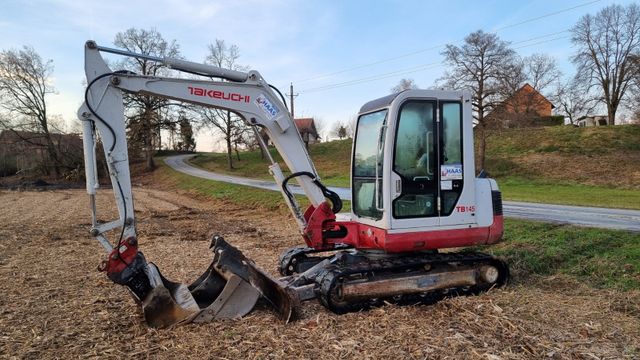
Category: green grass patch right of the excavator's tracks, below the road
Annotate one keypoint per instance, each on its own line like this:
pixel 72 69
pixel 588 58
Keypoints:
pixel 601 258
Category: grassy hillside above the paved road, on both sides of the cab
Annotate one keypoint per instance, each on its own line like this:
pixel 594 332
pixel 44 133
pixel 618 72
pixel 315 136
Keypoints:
pixel 567 165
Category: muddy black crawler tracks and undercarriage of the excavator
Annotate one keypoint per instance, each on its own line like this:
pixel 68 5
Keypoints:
pixel 350 280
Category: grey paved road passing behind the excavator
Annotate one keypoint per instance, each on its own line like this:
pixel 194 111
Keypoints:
pixel 575 215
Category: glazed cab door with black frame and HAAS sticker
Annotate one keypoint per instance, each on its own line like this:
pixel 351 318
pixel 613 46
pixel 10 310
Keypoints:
pixel 426 168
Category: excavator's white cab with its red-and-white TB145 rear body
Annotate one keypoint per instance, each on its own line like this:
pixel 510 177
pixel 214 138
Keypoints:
pixel 413 173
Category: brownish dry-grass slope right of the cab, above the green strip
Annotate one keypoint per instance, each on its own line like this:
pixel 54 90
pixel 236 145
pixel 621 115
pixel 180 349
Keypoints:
pixel 604 156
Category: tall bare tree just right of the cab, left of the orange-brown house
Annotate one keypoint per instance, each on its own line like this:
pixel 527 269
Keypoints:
pixel 478 66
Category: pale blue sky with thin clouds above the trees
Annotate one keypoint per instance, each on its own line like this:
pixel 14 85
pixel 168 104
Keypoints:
pixel 337 54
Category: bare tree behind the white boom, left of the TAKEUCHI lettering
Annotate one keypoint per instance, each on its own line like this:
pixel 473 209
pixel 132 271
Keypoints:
pixel 147 115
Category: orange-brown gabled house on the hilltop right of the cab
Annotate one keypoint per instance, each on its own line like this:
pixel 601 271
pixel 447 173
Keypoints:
pixel 524 108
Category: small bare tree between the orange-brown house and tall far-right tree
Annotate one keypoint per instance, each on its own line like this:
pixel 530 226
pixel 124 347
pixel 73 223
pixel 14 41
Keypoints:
pixel 573 99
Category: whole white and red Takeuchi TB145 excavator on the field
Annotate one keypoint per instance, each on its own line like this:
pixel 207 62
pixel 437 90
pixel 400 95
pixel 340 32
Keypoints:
pixel 415 198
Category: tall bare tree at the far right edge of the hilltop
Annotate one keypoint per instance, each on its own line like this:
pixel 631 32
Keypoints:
pixel 604 43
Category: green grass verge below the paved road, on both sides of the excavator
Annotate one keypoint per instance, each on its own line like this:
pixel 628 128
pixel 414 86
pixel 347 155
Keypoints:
pixel 599 257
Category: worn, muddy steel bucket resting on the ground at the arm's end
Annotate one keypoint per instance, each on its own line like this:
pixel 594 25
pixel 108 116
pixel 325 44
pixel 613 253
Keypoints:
pixel 228 289
